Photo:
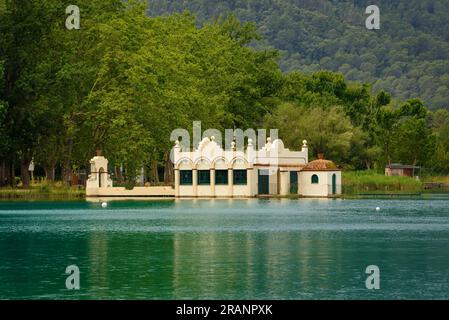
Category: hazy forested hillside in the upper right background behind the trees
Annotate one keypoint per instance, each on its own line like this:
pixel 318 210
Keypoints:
pixel 408 56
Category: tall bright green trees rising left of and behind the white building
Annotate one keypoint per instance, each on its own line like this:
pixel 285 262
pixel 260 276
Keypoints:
pixel 124 81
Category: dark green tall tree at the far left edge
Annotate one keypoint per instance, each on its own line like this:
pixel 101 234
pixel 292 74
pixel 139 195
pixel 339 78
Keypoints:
pixel 24 25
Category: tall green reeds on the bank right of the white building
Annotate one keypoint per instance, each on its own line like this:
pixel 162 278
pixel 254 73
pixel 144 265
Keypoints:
pixel 360 182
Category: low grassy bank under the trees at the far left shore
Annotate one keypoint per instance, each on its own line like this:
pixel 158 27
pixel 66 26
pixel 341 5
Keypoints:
pixel 43 190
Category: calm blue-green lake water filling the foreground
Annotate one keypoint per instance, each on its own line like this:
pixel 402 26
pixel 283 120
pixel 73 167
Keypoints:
pixel 226 249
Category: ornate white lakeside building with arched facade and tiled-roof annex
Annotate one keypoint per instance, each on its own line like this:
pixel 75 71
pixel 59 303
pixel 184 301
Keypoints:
pixel 210 171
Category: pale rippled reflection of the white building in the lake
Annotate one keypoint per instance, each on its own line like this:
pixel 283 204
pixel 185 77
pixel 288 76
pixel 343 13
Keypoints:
pixel 250 263
